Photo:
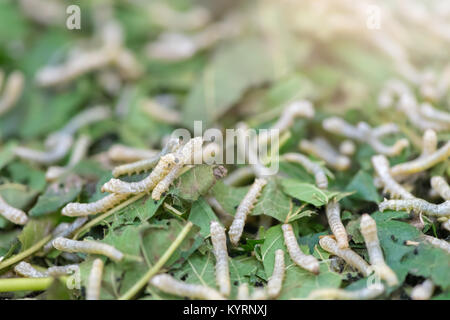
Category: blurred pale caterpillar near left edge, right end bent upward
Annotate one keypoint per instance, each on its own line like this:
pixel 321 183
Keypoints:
pixel 58 146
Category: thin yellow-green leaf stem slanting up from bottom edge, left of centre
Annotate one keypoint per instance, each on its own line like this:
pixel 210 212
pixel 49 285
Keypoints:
pixel 153 270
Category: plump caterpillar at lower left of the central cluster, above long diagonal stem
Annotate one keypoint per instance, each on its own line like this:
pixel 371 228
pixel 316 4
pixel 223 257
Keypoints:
pixel 75 209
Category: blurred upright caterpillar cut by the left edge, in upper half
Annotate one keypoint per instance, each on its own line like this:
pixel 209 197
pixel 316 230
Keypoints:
pixel 12 91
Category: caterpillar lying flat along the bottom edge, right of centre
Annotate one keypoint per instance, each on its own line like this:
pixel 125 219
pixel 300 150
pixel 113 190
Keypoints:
pixel 340 294
